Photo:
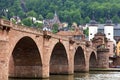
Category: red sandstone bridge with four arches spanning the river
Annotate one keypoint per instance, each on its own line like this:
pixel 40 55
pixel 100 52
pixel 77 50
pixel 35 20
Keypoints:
pixel 28 52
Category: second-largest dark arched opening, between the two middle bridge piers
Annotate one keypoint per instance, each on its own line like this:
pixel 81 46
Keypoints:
pixel 59 60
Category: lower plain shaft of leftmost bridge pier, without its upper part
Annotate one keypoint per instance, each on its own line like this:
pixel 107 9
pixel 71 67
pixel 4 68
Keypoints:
pixel 3 60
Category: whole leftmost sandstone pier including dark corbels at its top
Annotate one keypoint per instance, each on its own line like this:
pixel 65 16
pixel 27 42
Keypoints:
pixel 4 52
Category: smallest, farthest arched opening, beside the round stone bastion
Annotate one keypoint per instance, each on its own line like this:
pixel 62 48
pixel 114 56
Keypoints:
pixel 93 61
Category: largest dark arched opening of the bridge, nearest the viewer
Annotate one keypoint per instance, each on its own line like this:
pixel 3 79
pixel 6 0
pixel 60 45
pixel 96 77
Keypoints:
pixel 25 60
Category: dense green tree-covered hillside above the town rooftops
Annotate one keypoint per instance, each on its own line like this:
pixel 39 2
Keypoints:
pixel 79 11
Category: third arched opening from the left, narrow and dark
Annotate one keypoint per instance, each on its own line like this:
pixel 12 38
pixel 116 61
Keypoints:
pixel 79 60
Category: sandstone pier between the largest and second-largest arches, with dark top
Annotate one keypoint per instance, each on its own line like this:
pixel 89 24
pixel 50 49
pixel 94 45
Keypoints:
pixel 45 65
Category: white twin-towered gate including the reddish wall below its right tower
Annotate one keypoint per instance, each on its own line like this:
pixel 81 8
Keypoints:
pixel 107 29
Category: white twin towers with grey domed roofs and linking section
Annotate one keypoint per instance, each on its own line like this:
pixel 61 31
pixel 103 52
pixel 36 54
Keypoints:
pixel 107 29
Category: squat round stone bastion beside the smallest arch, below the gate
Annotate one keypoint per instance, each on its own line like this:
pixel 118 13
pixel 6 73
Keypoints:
pixel 103 58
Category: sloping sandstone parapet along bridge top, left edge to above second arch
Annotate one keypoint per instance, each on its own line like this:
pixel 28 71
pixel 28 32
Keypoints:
pixel 30 30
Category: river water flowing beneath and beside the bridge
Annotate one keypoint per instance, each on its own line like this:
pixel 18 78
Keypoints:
pixel 83 76
